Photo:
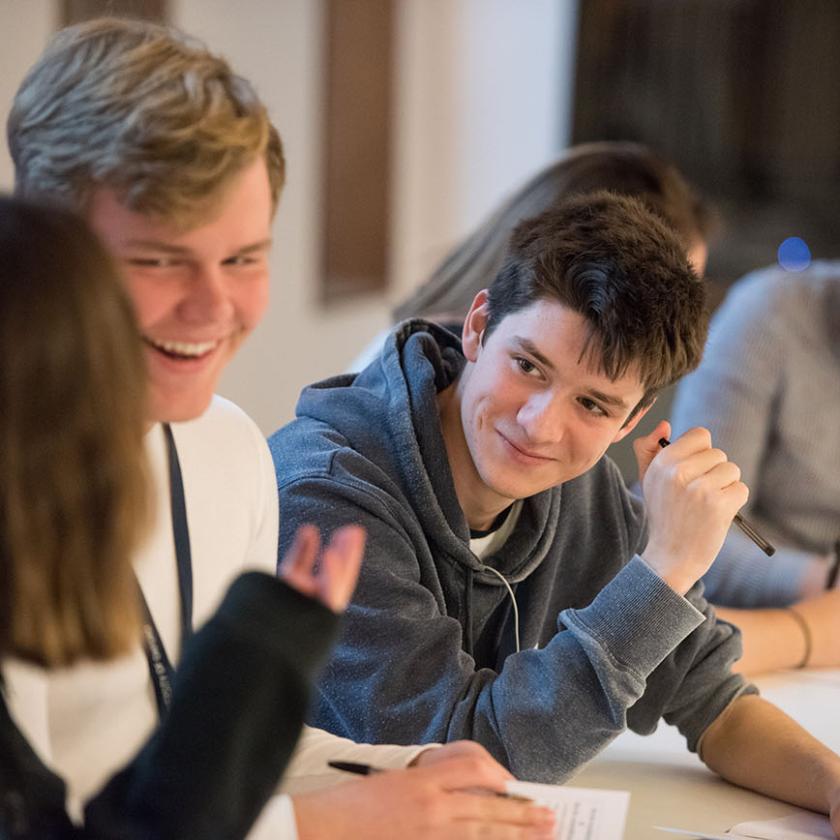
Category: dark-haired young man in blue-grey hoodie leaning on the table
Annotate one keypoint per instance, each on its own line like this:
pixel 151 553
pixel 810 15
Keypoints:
pixel 512 591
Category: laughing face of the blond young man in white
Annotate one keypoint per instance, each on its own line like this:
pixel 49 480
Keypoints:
pixel 197 294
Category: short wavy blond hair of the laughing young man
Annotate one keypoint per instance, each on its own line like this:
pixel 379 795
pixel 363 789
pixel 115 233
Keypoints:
pixel 142 109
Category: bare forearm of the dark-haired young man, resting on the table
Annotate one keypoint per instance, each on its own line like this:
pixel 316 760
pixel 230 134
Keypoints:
pixel 755 745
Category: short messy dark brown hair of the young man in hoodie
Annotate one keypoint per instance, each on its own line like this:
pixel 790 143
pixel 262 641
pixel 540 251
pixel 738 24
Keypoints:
pixel 612 260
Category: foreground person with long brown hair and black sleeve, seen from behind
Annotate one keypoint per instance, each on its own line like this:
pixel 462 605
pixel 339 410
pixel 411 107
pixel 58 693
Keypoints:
pixel 74 506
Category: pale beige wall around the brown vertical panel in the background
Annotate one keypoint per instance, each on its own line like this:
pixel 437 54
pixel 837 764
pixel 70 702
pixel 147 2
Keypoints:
pixel 480 105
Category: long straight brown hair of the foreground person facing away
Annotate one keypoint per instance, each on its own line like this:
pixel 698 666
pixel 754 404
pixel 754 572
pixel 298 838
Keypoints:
pixel 73 479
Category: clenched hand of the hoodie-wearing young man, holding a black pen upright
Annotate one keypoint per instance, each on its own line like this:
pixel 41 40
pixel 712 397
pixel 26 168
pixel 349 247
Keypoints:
pixel 692 493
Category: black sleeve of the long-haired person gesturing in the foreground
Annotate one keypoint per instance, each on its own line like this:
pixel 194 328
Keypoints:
pixel 239 700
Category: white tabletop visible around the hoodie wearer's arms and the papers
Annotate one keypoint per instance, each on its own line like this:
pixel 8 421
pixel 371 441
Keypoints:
pixel 670 786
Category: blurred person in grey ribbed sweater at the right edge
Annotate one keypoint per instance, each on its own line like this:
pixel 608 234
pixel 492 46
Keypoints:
pixel 768 388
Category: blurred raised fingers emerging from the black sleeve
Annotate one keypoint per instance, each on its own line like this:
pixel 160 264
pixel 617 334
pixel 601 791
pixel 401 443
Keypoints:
pixel 328 576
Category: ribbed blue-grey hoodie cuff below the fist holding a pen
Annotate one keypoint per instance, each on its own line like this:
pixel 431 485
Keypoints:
pixel 637 618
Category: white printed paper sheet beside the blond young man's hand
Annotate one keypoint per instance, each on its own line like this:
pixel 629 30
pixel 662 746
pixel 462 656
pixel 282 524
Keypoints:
pixel 582 813
